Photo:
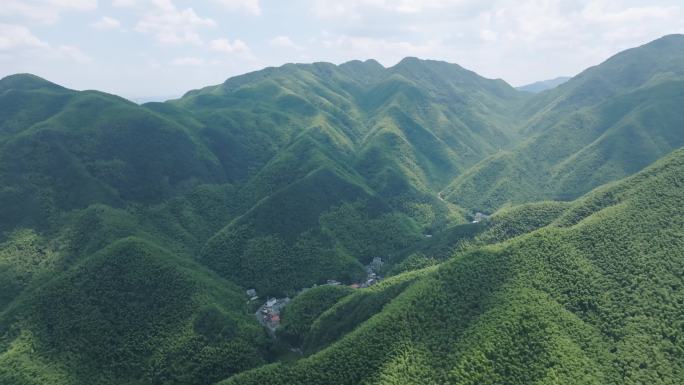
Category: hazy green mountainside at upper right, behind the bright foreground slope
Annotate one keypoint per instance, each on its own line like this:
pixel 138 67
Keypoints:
pixel 608 122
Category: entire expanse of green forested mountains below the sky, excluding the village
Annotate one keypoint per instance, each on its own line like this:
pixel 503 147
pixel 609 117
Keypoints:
pixel 130 232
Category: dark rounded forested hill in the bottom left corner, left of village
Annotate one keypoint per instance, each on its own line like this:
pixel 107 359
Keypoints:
pixel 131 313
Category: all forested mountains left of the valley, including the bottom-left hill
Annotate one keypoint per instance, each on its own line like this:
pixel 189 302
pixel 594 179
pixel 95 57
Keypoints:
pixel 127 229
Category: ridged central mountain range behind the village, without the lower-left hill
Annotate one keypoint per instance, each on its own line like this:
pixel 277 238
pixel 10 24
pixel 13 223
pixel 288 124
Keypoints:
pixel 314 146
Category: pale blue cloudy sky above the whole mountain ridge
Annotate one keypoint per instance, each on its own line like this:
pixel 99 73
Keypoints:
pixel 157 49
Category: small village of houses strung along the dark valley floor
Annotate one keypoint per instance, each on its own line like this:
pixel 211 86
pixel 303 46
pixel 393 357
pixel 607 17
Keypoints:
pixel 268 314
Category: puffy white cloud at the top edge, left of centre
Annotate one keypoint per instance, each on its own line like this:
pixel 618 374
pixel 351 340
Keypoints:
pixel 173 26
